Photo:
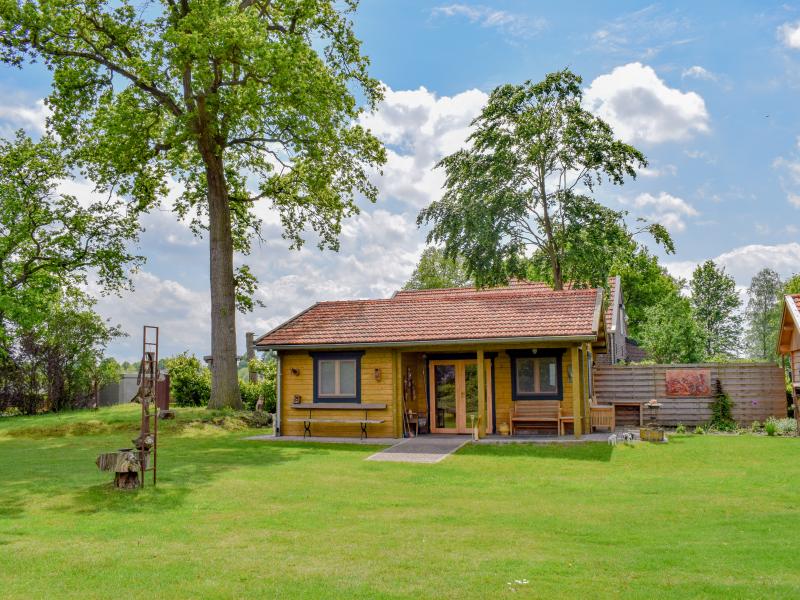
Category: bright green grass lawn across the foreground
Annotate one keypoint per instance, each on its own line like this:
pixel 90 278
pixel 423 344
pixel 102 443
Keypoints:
pixel 701 516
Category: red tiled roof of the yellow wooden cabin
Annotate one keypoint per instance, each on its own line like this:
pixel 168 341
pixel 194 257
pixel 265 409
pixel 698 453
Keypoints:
pixel 521 310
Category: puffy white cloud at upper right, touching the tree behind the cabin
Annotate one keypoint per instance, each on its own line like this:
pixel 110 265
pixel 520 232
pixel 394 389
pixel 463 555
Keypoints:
pixel 642 108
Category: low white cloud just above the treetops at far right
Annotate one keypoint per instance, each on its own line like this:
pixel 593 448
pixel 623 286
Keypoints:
pixel 744 262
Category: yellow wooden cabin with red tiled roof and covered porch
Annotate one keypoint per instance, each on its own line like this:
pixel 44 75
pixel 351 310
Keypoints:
pixel 514 358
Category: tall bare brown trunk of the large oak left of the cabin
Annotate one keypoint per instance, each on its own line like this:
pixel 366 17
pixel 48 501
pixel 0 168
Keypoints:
pixel 224 375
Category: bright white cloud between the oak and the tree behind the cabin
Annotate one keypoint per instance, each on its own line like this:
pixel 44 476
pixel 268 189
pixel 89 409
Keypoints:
pixel 420 129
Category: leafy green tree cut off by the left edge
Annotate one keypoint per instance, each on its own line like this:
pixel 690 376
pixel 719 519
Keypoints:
pixel 50 241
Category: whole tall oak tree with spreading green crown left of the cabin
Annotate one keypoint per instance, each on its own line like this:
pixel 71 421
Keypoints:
pixel 240 101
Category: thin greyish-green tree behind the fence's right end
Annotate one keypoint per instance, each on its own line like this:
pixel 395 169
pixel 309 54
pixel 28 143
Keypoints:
pixel 763 314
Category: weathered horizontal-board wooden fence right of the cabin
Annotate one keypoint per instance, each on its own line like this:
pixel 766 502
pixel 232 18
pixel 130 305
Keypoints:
pixel 756 389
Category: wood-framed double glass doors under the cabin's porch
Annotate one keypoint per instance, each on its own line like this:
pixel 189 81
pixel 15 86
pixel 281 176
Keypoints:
pixel 454 395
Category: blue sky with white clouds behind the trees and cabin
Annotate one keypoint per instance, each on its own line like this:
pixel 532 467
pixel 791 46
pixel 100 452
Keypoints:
pixel 709 91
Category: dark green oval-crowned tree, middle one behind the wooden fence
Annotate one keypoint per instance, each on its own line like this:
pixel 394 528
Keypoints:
pixel 715 303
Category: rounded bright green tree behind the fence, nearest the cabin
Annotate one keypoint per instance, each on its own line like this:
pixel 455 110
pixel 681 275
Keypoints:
pixel 670 334
